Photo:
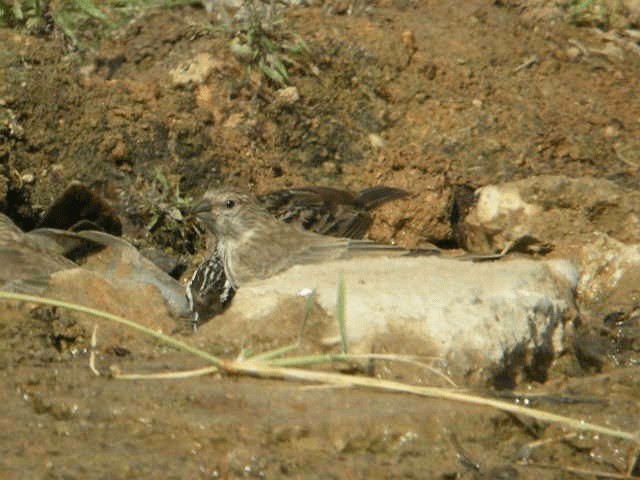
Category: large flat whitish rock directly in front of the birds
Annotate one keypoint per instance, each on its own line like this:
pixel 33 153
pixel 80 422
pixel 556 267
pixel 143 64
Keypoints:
pixel 490 320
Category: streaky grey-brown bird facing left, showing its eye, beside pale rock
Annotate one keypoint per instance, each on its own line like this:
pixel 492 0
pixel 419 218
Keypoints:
pixel 254 245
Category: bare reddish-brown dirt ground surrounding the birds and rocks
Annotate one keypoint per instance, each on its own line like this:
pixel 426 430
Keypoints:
pixel 429 96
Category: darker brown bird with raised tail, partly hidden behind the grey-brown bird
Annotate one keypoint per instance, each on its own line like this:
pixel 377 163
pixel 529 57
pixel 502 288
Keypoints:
pixel 329 211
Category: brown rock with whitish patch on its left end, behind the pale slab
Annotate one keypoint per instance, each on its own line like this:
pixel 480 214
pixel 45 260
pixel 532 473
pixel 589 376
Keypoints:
pixel 544 211
